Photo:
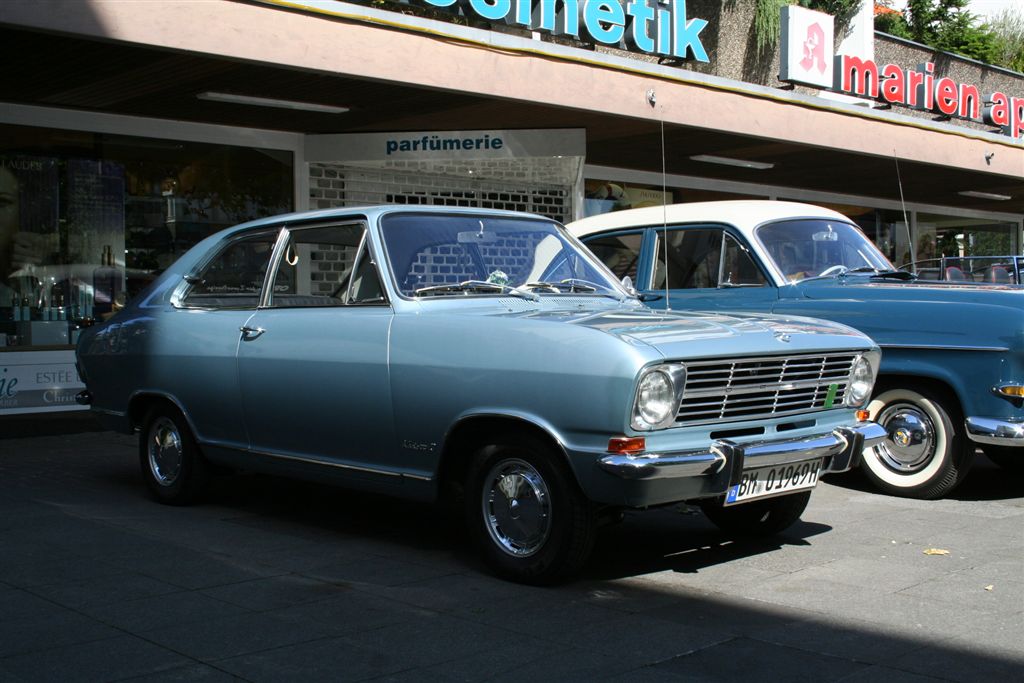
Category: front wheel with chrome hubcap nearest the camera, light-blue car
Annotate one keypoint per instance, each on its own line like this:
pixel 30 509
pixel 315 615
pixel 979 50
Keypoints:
pixel 527 514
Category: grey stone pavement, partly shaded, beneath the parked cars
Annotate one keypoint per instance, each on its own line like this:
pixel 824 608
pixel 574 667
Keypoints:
pixel 278 581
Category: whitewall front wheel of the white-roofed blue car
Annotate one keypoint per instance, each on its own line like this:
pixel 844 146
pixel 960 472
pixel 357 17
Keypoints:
pixel 926 453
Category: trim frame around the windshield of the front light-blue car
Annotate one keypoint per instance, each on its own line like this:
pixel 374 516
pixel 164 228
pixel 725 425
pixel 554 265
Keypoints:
pixel 616 290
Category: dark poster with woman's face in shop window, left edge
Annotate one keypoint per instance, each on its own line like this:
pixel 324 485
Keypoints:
pixel 29 211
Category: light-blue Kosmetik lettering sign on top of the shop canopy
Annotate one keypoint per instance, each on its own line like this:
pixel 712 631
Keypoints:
pixel 654 27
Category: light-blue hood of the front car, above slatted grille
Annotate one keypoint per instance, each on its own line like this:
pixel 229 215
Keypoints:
pixel 686 334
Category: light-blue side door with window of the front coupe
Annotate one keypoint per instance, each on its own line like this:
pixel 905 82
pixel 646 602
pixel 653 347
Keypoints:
pixel 314 361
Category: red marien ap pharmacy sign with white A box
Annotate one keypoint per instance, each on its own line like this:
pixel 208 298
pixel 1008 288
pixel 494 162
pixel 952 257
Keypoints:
pixel 808 60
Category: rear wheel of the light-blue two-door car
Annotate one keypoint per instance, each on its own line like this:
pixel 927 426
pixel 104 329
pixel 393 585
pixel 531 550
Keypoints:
pixel 174 468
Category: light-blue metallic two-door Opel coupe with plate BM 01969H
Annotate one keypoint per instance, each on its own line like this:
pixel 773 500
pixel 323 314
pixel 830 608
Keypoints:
pixel 482 355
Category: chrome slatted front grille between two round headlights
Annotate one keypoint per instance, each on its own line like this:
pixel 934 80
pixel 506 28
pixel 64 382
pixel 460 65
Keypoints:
pixel 755 389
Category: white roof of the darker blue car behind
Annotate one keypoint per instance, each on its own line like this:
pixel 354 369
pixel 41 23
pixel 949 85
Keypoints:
pixel 745 215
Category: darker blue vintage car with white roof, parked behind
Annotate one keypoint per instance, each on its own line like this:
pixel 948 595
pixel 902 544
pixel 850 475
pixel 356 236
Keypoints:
pixel 953 366
